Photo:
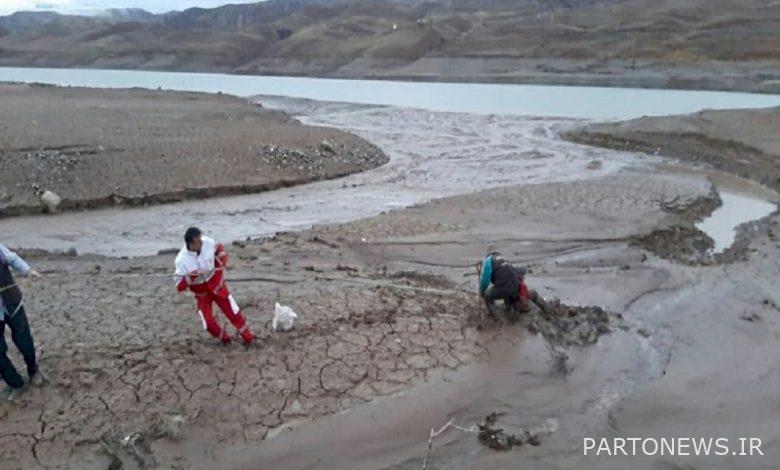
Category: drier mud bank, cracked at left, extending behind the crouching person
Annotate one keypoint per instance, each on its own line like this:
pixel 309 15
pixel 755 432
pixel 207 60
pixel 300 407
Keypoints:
pixel 123 351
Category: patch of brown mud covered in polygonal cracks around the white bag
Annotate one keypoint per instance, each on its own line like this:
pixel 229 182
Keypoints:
pixel 126 354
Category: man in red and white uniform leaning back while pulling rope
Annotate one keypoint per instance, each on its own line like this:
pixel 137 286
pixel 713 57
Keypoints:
pixel 200 267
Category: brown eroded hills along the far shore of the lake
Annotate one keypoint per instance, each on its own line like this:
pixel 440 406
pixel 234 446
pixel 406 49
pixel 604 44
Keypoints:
pixel 510 40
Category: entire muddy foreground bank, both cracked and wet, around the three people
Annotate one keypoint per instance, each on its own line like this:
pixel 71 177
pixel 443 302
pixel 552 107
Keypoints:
pixel 387 345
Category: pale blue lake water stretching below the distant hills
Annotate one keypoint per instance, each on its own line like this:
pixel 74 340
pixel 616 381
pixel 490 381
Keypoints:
pixel 532 100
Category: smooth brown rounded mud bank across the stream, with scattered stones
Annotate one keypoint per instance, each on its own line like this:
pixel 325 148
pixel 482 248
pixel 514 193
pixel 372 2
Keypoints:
pixel 136 147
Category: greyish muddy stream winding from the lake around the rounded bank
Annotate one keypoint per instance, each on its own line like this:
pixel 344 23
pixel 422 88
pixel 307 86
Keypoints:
pixel 432 155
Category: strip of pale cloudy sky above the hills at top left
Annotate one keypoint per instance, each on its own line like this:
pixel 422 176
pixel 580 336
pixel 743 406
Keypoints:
pixel 92 6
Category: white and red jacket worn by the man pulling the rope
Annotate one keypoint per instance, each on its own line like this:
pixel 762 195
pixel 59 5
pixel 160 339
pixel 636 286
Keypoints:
pixel 201 272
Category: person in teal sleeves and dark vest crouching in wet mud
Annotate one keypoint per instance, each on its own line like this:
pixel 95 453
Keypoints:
pixel 499 280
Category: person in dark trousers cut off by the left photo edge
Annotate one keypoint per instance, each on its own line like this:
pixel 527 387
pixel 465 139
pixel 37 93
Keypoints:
pixel 12 314
